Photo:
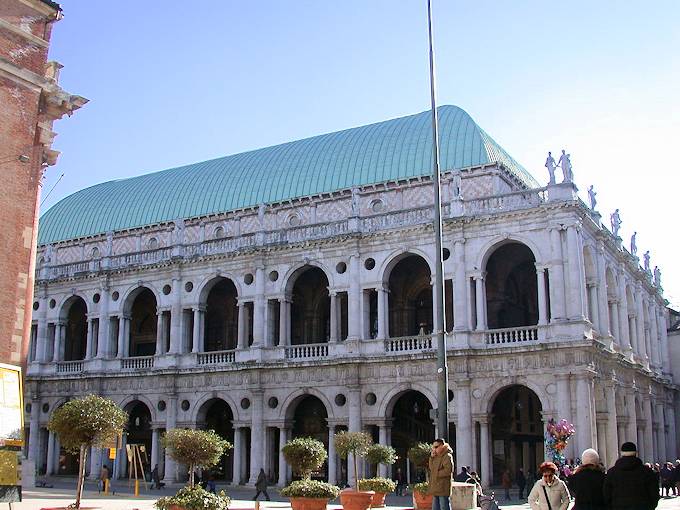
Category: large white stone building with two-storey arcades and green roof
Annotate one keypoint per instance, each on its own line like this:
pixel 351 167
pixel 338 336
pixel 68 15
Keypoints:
pixel 312 314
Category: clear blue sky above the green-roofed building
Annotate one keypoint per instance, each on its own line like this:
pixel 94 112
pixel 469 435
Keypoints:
pixel 173 82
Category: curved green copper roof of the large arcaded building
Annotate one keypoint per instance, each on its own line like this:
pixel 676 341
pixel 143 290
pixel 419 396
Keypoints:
pixel 389 150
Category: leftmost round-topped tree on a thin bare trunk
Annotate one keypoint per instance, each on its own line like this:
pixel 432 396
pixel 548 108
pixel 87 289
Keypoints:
pixel 91 421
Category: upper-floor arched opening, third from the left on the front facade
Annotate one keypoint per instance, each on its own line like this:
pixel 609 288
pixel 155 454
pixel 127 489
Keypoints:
pixel 221 317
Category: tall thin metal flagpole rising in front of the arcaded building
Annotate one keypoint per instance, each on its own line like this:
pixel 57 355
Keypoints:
pixel 442 369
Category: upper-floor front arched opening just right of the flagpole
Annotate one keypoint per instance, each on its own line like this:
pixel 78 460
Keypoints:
pixel 511 289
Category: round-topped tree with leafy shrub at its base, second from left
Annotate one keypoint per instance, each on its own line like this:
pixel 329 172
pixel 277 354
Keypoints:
pixel 195 449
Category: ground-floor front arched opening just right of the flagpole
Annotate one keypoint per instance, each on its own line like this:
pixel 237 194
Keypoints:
pixel 516 432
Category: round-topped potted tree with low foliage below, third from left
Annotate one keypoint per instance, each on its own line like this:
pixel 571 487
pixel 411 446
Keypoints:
pixel 306 455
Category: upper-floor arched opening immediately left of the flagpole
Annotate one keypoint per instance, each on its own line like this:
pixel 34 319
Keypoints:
pixel 410 297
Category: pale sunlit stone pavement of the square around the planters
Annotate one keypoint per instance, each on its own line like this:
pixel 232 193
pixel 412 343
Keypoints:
pixel 63 493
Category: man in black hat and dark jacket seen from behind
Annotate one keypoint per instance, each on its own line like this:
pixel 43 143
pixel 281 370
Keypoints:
pixel 628 484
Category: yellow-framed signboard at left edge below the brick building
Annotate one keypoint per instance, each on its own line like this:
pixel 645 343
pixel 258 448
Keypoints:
pixel 11 433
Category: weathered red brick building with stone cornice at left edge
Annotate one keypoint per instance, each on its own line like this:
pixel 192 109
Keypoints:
pixel 30 100
